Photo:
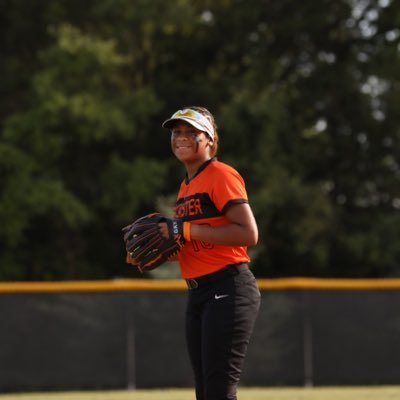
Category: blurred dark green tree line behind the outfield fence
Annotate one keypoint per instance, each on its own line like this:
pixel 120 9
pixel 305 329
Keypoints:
pixel 306 99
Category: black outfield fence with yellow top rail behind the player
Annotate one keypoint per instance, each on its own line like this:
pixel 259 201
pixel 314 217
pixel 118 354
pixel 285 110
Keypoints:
pixel 130 333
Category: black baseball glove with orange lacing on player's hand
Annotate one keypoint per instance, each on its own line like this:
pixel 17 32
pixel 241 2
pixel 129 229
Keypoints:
pixel 147 247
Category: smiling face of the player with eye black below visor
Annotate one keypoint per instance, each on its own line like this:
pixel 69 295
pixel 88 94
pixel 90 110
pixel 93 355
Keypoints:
pixel 189 144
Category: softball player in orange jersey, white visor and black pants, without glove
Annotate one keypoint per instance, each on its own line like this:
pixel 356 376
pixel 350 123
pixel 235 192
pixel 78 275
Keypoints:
pixel 223 297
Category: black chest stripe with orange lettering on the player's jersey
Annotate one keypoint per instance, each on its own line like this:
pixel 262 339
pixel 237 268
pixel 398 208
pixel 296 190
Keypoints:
pixel 197 206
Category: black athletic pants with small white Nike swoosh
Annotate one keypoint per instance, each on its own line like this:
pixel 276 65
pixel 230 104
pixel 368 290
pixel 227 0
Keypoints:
pixel 220 318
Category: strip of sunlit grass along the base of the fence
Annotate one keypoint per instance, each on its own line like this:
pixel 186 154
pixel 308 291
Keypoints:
pixel 320 393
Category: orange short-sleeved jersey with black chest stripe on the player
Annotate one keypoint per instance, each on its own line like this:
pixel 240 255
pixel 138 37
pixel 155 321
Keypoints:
pixel 204 200
